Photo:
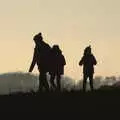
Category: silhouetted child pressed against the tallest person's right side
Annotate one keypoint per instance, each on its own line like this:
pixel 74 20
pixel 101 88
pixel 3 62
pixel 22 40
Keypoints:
pixel 57 67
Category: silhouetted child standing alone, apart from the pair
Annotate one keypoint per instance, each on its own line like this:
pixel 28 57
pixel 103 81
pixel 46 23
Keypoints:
pixel 88 61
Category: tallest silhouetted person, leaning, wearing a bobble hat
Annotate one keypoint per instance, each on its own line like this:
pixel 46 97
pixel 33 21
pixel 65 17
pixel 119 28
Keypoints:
pixel 41 58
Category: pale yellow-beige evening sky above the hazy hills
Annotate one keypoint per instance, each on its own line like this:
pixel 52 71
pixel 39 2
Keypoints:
pixel 73 24
